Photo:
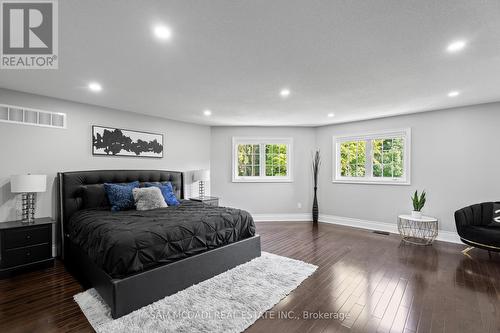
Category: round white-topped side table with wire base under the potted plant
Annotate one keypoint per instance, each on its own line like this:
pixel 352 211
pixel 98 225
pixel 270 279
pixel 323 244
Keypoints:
pixel 420 231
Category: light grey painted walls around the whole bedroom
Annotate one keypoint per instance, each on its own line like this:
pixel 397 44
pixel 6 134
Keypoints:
pixel 455 157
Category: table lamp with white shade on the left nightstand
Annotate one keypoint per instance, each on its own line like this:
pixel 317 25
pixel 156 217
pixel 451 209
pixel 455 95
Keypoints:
pixel 28 185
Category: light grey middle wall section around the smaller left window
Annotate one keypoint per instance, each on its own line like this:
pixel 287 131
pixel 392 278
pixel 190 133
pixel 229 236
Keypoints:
pixel 263 198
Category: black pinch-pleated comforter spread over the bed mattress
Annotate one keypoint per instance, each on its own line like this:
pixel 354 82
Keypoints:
pixel 127 242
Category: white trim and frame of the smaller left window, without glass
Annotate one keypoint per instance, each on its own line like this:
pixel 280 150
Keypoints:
pixel 262 179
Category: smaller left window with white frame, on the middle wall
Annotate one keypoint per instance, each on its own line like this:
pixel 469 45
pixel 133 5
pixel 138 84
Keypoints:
pixel 262 159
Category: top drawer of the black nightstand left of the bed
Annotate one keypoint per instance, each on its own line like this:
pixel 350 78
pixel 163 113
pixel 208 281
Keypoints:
pixel 20 237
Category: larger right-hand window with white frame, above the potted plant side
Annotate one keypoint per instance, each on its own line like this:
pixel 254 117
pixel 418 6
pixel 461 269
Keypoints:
pixel 379 158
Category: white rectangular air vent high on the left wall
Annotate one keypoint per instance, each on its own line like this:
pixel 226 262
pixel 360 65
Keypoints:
pixel 27 116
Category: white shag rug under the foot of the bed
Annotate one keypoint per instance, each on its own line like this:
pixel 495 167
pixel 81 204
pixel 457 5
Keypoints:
pixel 228 302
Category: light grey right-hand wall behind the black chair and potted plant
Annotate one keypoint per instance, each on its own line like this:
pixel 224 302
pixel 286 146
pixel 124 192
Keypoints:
pixel 455 158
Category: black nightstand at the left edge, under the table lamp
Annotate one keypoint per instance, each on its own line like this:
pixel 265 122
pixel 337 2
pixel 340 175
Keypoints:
pixel 25 246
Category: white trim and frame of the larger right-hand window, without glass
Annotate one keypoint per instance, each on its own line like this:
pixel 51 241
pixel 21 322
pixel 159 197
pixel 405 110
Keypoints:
pixel 338 140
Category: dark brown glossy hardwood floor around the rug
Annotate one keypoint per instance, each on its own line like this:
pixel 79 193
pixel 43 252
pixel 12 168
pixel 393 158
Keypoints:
pixel 376 282
